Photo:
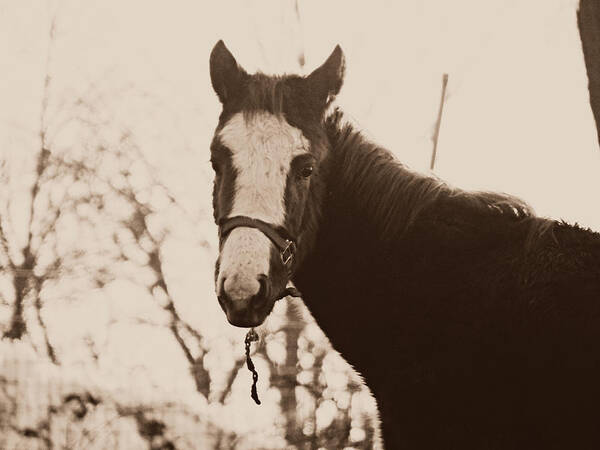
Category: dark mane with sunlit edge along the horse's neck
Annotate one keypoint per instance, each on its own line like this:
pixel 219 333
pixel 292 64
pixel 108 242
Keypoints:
pixel 397 196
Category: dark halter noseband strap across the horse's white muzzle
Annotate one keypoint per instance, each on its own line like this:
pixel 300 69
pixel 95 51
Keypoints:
pixel 285 244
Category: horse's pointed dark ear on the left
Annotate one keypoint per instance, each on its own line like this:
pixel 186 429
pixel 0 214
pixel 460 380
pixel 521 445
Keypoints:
pixel 226 75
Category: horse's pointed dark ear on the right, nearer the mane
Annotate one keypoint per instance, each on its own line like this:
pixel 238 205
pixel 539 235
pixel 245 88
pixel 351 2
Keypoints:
pixel 326 81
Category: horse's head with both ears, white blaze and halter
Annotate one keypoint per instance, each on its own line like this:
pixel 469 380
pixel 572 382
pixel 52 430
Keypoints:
pixel 268 154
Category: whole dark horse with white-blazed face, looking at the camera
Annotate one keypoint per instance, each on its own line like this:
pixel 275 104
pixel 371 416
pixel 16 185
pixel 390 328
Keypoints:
pixel 474 322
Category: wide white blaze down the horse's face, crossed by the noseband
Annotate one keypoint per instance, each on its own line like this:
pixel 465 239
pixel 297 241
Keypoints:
pixel 262 149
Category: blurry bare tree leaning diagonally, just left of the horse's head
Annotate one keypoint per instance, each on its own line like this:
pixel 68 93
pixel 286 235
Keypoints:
pixel 139 236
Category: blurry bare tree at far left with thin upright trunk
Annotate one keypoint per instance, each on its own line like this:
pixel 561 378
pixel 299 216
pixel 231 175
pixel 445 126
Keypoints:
pixel 35 261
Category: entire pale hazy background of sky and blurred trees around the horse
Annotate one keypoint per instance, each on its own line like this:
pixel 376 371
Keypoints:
pixel 112 335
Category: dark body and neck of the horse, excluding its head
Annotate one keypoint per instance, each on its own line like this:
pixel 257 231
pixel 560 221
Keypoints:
pixel 471 331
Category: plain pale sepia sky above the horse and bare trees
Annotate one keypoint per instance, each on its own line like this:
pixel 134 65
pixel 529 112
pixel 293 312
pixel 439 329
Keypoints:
pixel 517 116
